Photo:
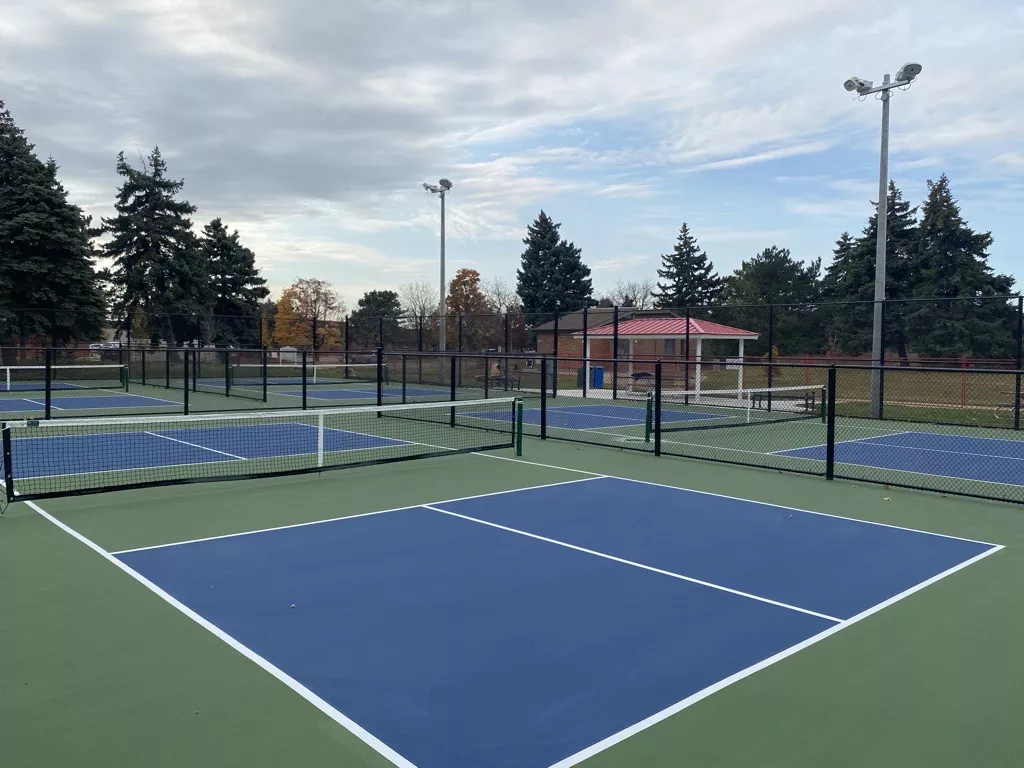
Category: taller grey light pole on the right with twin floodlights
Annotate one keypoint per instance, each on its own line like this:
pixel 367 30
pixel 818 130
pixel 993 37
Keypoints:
pixel 905 77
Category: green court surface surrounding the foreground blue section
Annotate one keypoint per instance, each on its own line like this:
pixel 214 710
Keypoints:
pixel 96 670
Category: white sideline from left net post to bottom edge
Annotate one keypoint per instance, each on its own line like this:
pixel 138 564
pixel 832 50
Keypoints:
pixel 352 727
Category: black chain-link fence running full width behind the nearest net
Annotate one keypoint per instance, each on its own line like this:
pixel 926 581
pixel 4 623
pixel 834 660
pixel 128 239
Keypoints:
pixel 953 430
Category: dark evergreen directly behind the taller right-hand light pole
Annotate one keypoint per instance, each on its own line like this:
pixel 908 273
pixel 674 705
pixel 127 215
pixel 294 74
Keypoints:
pixel 850 278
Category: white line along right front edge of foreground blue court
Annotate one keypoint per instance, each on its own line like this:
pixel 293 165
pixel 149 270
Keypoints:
pixel 724 684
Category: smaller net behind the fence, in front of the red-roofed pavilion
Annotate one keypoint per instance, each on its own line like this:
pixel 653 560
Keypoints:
pixel 691 410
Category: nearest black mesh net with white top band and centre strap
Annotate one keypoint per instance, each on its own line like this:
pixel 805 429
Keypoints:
pixel 62 458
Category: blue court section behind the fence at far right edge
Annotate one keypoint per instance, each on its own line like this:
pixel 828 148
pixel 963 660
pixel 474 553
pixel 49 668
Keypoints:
pixel 984 459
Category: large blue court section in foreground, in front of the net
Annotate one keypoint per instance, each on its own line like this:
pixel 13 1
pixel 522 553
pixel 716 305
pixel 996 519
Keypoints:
pixel 523 628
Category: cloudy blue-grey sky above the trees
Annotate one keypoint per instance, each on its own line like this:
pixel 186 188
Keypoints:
pixel 311 126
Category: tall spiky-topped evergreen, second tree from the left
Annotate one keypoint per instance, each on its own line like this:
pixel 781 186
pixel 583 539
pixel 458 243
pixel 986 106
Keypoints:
pixel 158 267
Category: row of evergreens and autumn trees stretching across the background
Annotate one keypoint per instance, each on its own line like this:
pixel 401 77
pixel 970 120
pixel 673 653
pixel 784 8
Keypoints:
pixel 168 285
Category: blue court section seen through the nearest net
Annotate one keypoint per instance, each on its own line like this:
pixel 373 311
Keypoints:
pixel 115 452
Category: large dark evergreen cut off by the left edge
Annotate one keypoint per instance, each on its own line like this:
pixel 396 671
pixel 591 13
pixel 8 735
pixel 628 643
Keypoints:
pixel 49 285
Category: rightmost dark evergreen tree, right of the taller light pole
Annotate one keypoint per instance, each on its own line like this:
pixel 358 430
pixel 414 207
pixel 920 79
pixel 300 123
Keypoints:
pixel 952 261
